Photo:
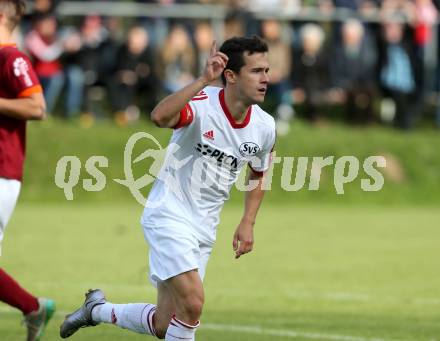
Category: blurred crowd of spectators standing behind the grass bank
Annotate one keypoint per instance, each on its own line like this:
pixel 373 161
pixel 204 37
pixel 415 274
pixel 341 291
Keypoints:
pixel 376 63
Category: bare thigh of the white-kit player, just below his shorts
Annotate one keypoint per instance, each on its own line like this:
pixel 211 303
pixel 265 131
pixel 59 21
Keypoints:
pixel 187 289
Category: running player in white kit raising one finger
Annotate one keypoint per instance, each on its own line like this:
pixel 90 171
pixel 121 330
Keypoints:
pixel 218 131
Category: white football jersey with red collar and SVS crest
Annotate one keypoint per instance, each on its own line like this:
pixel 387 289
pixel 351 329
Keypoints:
pixel 207 151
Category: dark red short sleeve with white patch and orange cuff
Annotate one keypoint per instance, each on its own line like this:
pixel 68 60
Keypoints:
pixel 22 78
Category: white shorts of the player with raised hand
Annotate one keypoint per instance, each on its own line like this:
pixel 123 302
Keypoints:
pixel 175 250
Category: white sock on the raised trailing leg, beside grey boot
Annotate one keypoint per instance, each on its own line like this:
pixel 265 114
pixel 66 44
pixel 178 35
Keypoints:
pixel 137 317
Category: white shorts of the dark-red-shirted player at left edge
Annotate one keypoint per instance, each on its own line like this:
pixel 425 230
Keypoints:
pixel 9 191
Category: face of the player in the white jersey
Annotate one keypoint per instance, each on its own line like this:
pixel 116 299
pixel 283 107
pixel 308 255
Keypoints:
pixel 253 77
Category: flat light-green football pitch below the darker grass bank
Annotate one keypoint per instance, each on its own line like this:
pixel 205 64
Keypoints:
pixel 317 273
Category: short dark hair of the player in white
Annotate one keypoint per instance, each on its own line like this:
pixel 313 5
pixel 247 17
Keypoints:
pixel 235 47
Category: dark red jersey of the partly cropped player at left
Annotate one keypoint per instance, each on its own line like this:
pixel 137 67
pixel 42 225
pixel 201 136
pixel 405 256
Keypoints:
pixel 17 80
